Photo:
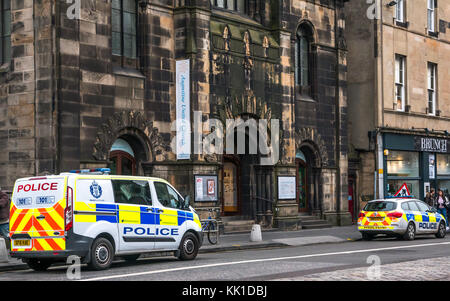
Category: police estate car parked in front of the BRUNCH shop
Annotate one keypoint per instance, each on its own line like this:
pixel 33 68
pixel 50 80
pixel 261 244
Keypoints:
pixel 402 217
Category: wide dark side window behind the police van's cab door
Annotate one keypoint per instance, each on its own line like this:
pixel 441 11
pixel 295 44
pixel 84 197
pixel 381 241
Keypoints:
pixel 132 192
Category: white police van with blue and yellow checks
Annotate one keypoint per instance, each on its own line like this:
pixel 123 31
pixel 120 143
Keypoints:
pixel 97 216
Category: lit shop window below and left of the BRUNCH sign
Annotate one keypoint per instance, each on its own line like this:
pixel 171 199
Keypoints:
pixel 403 164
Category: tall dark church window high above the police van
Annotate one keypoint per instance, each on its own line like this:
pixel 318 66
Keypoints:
pixel 124 32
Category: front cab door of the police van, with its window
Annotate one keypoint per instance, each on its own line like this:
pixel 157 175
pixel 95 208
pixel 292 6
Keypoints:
pixel 171 220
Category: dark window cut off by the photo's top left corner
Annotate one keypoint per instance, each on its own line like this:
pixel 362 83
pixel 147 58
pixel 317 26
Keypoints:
pixel 5 31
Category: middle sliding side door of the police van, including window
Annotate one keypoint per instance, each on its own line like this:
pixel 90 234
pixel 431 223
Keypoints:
pixel 137 219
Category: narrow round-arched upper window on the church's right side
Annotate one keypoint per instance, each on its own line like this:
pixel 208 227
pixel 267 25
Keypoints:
pixel 304 60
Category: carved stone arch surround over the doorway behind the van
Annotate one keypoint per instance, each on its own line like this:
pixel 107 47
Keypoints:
pixel 131 123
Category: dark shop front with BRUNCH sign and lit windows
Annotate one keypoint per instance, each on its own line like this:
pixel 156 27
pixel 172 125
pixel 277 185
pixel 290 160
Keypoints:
pixel 420 162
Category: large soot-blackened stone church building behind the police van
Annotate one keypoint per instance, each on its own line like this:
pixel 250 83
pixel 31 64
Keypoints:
pixel 96 87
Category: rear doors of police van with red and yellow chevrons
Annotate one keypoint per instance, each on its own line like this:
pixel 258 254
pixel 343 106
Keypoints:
pixel 37 214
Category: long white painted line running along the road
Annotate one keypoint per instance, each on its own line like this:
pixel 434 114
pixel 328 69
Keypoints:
pixel 262 260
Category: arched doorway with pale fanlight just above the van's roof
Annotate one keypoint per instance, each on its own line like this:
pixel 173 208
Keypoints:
pixel 122 158
